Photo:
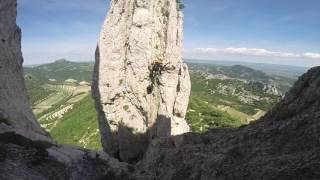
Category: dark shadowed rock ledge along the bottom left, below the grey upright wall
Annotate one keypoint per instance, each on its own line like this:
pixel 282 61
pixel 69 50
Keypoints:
pixel 22 158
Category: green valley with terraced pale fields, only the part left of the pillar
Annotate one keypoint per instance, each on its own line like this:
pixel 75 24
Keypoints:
pixel 60 94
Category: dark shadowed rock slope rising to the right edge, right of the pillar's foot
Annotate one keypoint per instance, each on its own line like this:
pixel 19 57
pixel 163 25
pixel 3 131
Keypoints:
pixel 285 144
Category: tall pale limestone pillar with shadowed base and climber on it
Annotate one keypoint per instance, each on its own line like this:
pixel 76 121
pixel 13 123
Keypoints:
pixel 141 85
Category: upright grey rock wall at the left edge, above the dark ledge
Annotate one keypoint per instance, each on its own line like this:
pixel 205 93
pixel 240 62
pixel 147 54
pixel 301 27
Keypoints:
pixel 15 111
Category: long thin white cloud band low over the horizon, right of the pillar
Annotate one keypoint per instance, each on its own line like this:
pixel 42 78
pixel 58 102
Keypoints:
pixel 257 52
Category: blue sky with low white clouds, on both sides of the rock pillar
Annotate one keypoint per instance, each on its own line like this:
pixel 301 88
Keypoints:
pixel 266 31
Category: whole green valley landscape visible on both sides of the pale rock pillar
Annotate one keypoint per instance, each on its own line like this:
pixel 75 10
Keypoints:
pixel 221 96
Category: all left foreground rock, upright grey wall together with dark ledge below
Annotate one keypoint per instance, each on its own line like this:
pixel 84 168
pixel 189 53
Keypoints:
pixel 26 150
